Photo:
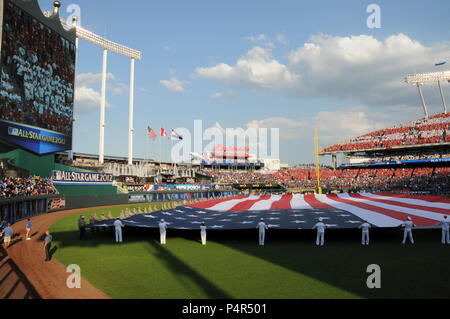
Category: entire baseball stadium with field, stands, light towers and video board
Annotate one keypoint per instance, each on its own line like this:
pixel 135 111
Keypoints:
pixel 107 216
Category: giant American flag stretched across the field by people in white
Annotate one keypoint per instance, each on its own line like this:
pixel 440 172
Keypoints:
pixel 338 211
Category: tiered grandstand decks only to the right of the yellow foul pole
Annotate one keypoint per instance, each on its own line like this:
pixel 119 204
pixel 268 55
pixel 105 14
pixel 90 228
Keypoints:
pixel 412 156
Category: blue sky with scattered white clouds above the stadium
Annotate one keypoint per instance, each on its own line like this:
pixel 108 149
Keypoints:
pixel 295 65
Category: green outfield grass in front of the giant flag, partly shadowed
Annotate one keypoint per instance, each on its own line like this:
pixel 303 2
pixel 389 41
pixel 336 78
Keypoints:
pixel 232 265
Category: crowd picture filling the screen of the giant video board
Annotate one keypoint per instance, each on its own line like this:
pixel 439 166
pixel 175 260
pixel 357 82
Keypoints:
pixel 37 73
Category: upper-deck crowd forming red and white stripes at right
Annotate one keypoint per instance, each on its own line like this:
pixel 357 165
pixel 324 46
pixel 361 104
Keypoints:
pixel 430 130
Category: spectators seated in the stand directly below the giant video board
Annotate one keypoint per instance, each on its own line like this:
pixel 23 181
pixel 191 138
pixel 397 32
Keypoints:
pixel 24 187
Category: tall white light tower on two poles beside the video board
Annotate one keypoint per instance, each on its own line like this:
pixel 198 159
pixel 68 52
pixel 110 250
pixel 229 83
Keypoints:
pixel 107 45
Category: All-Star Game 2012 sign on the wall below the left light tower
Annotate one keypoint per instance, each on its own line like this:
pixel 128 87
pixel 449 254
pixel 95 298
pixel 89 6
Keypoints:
pixel 81 178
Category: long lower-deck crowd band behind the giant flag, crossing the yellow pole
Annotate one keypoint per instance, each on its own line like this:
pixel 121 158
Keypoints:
pixel 384 179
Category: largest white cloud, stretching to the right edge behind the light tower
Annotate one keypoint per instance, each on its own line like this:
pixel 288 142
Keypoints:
pixel 360 67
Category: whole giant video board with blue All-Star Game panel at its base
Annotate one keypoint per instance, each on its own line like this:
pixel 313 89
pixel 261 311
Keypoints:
pixel 37 79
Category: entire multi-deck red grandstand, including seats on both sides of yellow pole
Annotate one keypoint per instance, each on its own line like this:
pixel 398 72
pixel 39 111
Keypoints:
pixel 409 157
